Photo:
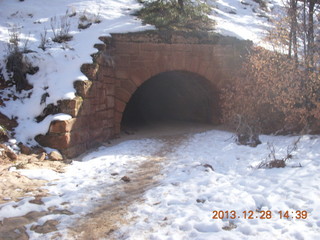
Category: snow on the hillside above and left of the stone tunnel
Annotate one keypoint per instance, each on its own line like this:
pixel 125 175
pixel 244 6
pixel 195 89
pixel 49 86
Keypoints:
pixel 60 64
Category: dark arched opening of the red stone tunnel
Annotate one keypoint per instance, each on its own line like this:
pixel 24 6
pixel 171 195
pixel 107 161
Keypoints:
pixel 172 96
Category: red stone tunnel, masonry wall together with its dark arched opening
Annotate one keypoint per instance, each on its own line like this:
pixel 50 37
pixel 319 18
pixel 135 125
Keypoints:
pixel 138 77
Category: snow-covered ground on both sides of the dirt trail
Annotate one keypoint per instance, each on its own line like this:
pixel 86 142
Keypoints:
pixel 182 205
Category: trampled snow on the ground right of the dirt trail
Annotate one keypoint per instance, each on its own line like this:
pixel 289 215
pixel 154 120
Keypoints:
pixel 171 211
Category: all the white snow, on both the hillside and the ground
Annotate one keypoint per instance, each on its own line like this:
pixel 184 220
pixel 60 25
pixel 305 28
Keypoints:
pixel 182 206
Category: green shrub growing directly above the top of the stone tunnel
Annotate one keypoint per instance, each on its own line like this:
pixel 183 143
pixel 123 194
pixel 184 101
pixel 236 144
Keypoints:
pixel 170 15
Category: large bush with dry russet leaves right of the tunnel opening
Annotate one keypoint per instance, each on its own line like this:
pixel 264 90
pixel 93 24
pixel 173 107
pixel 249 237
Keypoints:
pixel 272 92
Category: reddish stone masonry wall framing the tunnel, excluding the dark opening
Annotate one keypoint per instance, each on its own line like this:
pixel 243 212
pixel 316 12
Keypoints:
pixel 122 64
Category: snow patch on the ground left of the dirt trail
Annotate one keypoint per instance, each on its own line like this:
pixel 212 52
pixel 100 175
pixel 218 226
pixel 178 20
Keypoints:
pixel 92 174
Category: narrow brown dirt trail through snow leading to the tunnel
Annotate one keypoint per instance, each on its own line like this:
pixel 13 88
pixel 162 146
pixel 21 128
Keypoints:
pixel 106 218
